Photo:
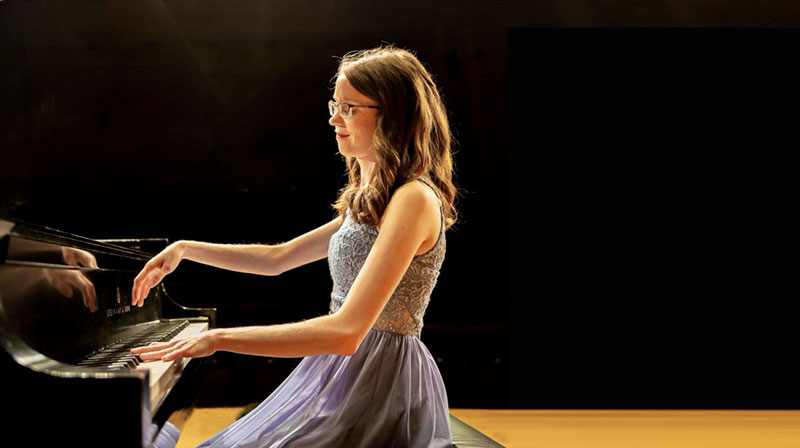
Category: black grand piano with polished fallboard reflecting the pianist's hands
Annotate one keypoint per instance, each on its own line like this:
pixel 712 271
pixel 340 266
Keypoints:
pixel 66 329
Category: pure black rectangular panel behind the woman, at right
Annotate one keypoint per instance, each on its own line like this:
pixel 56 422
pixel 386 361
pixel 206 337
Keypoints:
pixel 641 163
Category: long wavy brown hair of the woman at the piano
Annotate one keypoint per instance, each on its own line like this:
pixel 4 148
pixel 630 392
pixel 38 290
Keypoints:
pixel 412 134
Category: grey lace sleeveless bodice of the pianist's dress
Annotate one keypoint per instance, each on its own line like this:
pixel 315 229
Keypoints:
pixel 347 252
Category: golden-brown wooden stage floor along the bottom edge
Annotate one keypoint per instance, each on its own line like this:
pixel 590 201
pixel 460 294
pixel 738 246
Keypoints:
pixel 516 428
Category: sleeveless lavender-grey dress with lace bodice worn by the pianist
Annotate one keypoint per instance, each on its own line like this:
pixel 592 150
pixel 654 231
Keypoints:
pixel 389 393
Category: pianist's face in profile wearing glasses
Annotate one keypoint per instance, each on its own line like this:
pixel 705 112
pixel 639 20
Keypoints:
pixel 354 134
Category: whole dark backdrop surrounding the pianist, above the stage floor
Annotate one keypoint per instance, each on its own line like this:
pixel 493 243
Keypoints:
pixel 619 166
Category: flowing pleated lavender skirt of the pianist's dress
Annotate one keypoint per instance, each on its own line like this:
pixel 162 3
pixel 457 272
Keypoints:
pixel 389 393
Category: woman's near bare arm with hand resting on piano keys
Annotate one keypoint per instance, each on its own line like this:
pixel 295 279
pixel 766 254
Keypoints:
pixel 406 224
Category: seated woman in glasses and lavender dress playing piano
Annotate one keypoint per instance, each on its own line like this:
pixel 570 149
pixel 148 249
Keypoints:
pixel 366 379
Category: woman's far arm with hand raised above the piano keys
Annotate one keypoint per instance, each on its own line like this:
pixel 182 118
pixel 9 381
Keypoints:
pixel 249 258
